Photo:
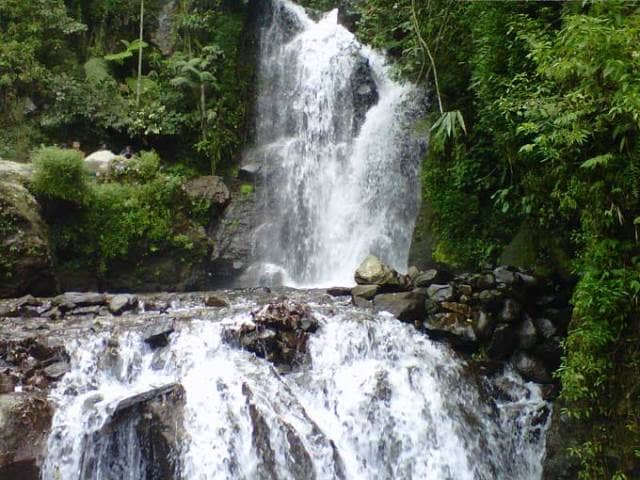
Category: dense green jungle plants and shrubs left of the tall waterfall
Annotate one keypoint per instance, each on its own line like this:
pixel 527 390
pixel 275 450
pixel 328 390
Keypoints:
pixel 173 77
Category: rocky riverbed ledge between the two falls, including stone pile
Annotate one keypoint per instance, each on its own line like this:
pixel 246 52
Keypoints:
pixel 496 319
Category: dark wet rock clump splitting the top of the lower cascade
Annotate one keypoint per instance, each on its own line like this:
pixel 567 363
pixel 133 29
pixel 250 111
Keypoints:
pixel 278 332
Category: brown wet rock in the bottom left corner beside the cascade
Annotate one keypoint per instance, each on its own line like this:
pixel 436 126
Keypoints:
pixel 25 419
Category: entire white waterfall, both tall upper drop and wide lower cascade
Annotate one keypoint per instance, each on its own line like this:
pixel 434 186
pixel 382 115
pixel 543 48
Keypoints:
pixel 375 398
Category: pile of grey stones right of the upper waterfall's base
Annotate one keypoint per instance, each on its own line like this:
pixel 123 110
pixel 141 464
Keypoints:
pixel 505 313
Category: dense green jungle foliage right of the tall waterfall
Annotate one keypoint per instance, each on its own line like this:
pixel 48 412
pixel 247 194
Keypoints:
pixel 534 159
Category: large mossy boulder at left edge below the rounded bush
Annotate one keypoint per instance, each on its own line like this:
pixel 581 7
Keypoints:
pixel 26 264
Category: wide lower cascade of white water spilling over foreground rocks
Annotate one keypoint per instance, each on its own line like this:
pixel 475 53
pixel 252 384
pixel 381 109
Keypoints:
pixel 375 400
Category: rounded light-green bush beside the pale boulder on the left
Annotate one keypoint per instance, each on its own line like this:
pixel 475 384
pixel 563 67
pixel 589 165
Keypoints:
pixel 60 175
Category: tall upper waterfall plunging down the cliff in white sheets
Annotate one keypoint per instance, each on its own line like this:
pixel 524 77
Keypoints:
pixel 336 145
